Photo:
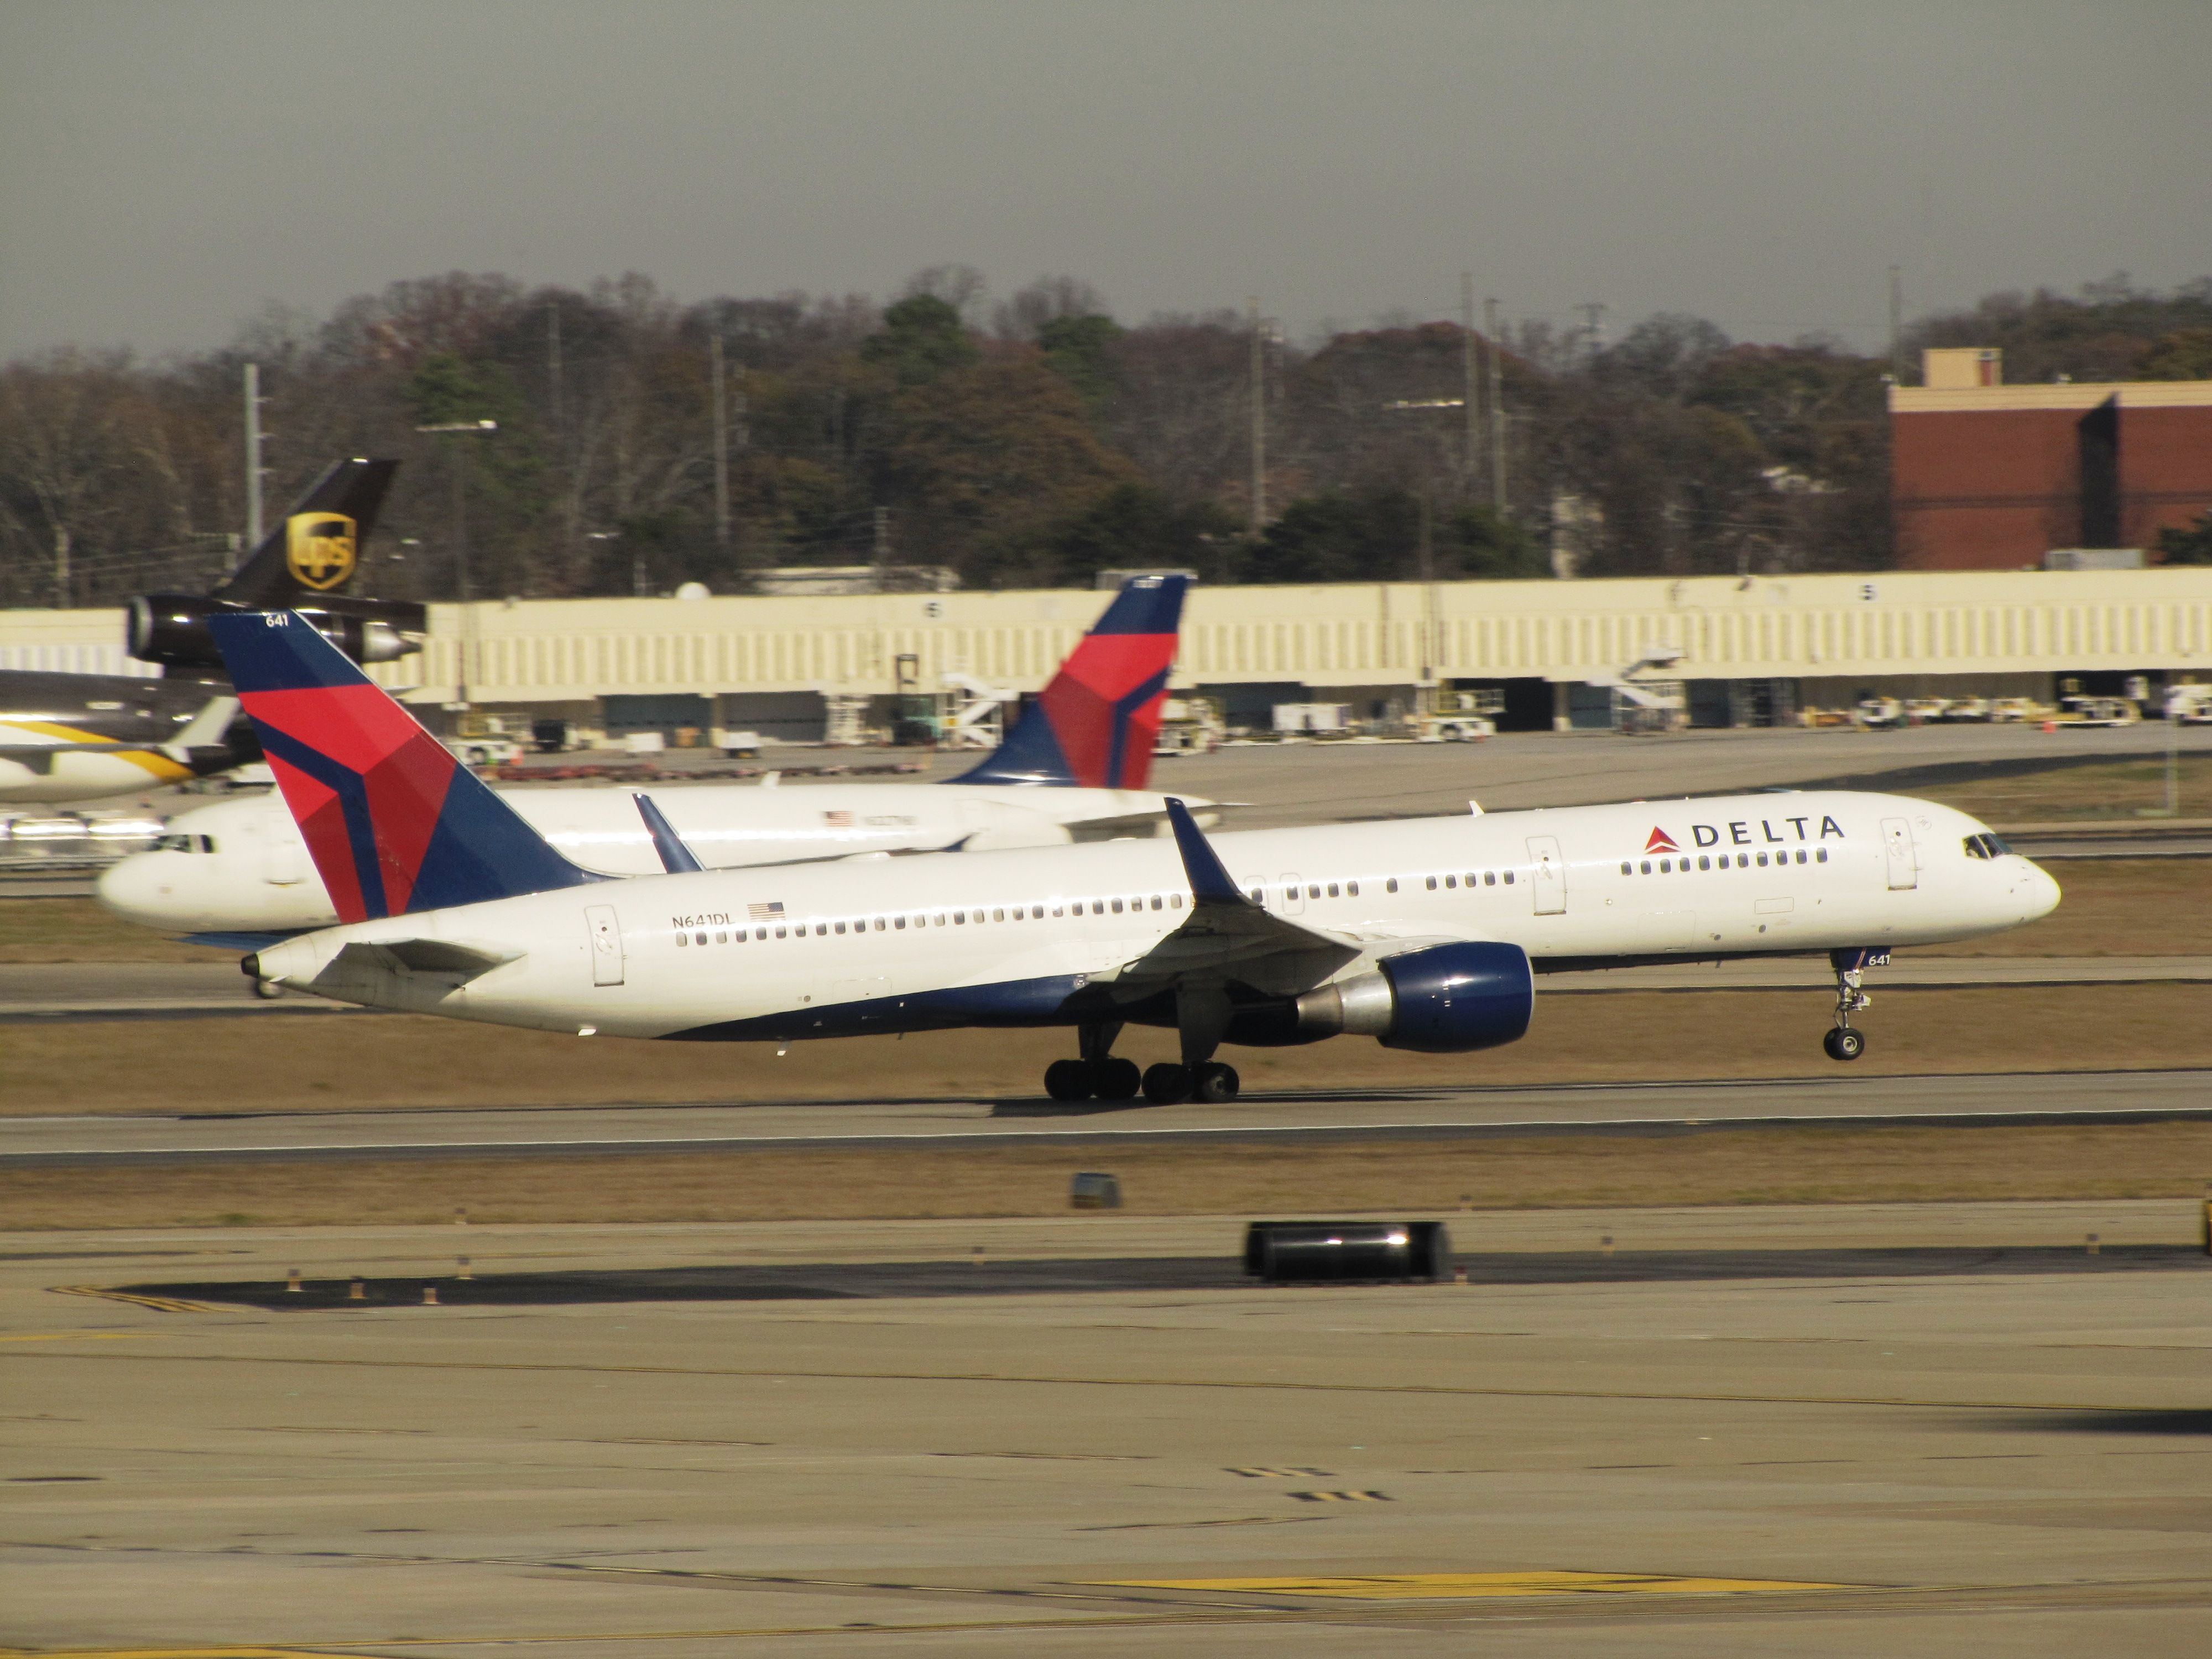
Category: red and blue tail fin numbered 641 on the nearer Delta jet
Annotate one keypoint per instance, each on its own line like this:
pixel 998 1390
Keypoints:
pixel 393 820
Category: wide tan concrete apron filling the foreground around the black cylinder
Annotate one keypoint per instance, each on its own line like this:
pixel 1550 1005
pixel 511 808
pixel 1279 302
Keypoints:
pixel 1908 1430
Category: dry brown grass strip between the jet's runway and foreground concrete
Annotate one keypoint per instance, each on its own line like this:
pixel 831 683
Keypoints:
pixel 1567 1171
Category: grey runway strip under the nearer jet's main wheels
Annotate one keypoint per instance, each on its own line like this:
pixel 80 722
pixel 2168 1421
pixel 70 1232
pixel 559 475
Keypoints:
pixel 1377 1114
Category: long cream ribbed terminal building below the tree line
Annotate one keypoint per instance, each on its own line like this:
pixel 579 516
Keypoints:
pixel 1749 649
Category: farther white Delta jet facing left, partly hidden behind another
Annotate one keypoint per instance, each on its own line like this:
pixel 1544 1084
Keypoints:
pixel 242 868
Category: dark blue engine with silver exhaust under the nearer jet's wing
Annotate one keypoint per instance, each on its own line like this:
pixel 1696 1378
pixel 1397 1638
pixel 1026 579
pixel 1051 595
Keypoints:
pixel 1446 1001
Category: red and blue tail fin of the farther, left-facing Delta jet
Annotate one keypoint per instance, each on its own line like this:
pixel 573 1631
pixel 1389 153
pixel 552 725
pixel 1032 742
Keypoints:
pixel 1094 727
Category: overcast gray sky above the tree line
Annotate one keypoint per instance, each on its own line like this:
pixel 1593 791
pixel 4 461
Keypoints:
pixel 171 169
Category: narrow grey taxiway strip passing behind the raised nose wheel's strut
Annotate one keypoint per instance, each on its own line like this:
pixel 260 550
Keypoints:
pixel 220 992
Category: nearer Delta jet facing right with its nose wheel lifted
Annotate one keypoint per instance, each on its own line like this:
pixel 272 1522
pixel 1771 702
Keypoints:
pixel 1421 935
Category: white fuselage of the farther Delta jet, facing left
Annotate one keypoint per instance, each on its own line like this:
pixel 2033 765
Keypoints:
pixel 242 868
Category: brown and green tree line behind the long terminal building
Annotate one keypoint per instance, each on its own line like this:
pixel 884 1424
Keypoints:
pixel 1027 441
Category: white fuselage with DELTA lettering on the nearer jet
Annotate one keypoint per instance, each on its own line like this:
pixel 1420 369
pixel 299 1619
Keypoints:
pixel 1003 939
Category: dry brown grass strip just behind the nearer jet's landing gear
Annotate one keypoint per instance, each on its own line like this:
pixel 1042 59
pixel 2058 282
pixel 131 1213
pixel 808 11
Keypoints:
pixel 337 1063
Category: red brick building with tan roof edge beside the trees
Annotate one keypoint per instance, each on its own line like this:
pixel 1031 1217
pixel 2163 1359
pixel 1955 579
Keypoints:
pixel 1990 477
